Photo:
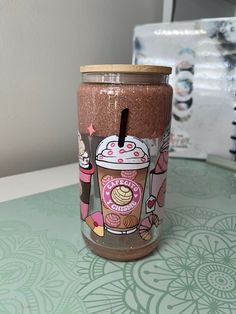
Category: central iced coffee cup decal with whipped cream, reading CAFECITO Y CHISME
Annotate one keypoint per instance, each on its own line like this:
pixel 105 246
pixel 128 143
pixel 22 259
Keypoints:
pixel 122 173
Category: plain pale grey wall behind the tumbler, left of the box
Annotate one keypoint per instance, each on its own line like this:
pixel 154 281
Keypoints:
pixel 42 45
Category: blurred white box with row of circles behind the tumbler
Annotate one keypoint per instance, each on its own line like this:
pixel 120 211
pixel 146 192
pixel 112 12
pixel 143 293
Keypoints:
pixel 203 56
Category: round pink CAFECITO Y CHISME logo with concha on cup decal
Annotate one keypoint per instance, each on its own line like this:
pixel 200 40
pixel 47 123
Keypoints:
pixel 121 195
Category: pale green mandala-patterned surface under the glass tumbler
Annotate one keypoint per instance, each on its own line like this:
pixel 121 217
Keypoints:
pixel 46 268
